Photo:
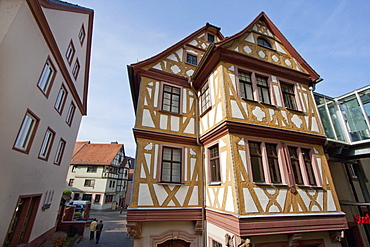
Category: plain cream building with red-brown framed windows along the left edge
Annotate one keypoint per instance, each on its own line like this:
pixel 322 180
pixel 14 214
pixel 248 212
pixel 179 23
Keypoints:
pixel 44 72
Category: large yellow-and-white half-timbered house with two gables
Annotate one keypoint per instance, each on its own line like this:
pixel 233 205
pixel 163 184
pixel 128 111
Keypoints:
pixel 230 145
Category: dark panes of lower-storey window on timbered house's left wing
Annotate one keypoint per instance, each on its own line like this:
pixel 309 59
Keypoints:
pixel 171 165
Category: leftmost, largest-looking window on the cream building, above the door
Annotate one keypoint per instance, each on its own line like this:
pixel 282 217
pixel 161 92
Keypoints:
pixel 26 132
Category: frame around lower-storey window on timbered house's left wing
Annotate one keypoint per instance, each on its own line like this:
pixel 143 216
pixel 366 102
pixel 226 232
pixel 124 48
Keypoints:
pixel 160 166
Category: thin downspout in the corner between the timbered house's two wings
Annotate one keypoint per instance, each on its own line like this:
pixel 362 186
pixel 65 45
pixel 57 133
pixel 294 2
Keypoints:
pixel 201 158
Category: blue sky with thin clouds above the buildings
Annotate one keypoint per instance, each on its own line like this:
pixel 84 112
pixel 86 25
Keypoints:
pixel 331 35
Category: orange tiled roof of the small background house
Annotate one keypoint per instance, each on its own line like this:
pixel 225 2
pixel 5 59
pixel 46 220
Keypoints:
pixel 94 154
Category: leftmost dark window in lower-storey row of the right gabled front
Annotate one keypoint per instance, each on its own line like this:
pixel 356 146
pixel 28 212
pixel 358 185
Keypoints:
pixel 256 161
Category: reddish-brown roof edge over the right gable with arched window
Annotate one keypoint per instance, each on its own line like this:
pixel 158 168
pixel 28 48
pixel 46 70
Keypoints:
pixel 262 16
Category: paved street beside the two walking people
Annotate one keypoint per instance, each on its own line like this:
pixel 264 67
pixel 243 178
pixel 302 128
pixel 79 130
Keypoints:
pixel 114 231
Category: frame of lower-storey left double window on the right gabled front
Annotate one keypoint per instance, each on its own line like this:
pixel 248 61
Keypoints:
pixel 265 166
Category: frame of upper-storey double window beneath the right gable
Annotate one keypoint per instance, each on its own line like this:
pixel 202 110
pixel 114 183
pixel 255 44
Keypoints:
pixel 254 86
